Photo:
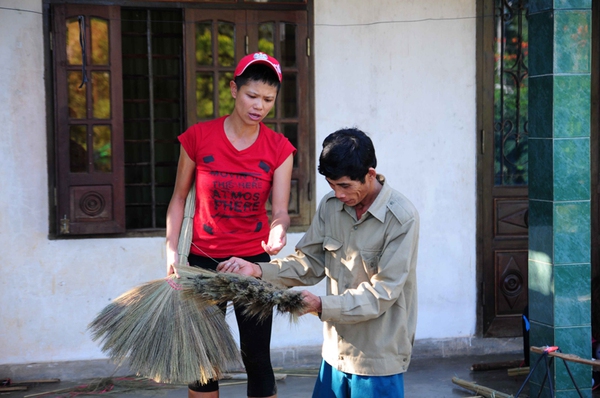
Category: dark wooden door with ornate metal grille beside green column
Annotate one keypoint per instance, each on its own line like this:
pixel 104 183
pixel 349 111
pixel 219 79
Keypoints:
pixel 502 167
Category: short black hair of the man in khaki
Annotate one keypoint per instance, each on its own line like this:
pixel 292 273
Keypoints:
pixel 348 152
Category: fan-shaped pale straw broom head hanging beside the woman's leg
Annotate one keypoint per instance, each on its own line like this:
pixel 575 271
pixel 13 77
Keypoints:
pixel 164 336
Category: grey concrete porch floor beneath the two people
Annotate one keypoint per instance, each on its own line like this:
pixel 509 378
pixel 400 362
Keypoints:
pixel 426 377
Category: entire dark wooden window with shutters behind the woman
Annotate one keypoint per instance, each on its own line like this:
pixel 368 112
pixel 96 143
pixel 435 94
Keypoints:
pixel 128 81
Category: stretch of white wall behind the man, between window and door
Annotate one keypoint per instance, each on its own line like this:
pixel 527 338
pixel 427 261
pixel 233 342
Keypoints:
pixel 410 84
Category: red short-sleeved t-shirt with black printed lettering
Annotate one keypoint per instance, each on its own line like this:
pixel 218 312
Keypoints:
pixel 232 188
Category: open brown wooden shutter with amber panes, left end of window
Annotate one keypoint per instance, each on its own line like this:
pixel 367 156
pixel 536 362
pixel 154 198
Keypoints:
pixel 89 120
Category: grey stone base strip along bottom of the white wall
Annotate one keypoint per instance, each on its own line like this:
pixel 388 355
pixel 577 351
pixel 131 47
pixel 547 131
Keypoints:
pixel 287 358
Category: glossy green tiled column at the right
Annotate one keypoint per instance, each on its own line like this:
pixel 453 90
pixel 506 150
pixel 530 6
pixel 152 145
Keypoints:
pixel 559 189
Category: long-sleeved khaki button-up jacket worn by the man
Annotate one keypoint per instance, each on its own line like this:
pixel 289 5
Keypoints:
pixel 370 310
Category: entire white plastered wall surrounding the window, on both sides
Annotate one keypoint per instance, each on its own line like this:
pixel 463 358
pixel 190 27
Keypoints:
pixel 410 85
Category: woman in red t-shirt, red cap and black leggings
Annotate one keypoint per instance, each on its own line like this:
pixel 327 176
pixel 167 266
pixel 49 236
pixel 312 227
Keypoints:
pixel 237 162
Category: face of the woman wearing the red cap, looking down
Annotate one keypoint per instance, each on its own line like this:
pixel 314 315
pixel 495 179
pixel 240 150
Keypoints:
pixel 254 100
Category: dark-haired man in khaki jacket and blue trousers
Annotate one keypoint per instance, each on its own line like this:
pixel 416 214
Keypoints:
pixel 364 240
